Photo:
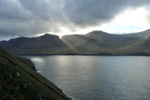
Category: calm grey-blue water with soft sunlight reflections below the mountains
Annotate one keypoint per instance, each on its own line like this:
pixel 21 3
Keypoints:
pixel 98 77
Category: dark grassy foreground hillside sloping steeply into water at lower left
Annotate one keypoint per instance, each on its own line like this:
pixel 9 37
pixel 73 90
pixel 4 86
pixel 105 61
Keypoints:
pixel 20 81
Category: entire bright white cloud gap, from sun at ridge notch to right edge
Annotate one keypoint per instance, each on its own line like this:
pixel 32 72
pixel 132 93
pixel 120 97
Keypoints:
pixel 129 21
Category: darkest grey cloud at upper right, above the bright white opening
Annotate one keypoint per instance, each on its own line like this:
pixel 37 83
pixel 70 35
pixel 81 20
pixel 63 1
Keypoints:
pixel 91 12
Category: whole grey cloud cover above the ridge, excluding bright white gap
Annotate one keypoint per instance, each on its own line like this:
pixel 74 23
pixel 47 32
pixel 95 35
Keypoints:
pixel 28 18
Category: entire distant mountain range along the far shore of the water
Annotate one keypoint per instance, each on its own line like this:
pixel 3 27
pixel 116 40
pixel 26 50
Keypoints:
pixel 93 43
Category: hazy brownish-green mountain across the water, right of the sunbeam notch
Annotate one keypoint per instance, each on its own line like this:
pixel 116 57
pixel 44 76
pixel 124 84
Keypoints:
pixel 99 42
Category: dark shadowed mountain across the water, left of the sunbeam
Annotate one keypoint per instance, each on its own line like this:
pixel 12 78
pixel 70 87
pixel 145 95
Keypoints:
pixel 46 44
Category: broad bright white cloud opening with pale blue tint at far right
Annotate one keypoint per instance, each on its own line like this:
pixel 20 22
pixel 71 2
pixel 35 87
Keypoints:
pixel 131 20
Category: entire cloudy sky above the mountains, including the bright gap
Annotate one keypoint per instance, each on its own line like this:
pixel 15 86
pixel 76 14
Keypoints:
pixel 62 17
